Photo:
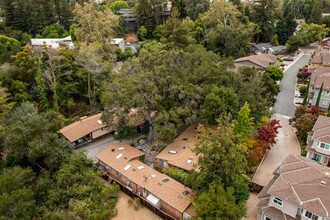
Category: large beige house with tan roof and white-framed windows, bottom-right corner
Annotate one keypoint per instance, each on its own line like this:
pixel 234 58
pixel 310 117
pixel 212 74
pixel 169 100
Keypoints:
pixel 300 189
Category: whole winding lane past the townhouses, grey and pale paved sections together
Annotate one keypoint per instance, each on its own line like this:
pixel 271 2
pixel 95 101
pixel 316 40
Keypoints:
pixel 287 142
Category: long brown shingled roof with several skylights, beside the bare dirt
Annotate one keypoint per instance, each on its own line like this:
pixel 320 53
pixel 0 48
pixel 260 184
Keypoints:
pixel 120 157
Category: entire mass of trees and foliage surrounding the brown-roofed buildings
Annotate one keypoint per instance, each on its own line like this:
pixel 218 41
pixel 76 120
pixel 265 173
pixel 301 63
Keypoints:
pixel 182 73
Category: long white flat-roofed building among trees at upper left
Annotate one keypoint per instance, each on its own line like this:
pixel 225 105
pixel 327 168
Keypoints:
pixel 53 42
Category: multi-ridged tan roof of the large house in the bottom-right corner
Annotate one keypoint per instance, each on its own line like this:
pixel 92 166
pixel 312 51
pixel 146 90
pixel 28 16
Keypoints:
pixel 301 182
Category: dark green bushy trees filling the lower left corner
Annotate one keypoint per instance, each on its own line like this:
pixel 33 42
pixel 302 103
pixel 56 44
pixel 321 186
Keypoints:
pixel 42 178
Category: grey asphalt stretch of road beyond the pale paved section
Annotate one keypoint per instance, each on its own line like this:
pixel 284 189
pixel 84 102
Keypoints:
pixel 284 104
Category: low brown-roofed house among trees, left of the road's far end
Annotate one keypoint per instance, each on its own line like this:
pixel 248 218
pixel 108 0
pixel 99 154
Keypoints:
pixel 260 61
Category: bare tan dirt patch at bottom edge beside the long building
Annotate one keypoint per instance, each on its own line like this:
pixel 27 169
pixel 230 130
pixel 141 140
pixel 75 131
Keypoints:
pixel 126 211
